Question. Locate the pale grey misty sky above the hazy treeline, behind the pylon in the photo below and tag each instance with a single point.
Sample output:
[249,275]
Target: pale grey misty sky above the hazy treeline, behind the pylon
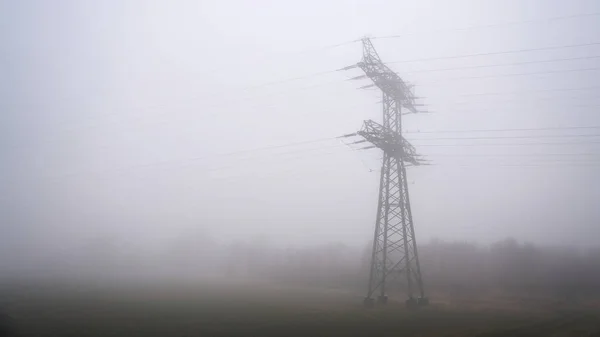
[151,120]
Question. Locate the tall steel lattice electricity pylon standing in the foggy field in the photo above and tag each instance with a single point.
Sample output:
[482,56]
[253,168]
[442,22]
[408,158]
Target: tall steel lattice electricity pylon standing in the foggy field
[394,243]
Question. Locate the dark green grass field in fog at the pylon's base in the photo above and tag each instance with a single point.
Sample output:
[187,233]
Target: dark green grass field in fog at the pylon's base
[267,310]
